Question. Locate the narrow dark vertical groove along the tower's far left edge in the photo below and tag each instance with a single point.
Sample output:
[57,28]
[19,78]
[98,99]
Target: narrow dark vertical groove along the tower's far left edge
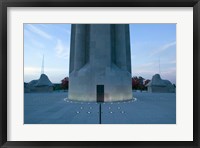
[72,49]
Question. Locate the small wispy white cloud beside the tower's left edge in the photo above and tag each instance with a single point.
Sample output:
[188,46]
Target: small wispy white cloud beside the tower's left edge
[61,50]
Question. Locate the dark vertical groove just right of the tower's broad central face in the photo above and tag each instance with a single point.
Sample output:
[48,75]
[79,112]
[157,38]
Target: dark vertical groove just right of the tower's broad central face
[113,42]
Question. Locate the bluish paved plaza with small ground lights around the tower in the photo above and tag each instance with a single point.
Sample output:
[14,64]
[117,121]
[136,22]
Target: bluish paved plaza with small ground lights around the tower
[56,108]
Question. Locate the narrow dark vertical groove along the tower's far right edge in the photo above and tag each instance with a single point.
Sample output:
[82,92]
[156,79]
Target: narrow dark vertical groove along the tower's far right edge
[128,50]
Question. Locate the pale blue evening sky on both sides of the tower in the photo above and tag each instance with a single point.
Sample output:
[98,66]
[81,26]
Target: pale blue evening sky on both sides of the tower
[153,50]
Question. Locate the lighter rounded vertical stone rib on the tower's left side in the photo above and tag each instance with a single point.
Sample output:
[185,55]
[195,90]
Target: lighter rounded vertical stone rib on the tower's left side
[79,46]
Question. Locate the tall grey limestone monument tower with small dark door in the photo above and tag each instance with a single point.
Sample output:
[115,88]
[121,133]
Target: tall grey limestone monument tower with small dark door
[100,63]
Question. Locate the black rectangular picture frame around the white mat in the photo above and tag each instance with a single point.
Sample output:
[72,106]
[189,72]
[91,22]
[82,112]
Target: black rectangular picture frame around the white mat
[4,4]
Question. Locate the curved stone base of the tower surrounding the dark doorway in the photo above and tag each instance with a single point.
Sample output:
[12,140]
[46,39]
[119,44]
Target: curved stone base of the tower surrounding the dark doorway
[83,84]
